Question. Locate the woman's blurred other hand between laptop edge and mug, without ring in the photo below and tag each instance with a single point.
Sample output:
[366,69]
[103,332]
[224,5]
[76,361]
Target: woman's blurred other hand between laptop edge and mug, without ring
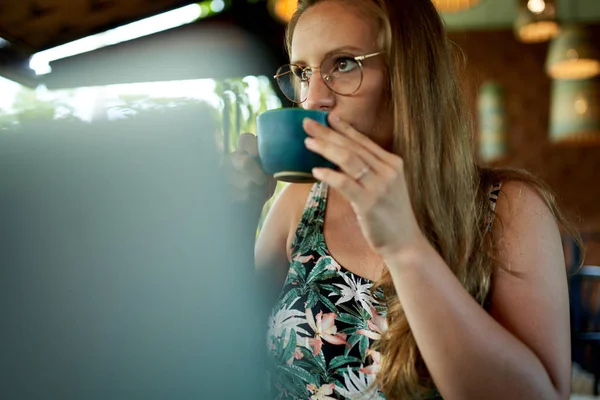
[251,185]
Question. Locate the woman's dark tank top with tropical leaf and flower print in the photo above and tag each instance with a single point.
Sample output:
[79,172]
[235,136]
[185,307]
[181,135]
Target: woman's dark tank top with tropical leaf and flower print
[322,328]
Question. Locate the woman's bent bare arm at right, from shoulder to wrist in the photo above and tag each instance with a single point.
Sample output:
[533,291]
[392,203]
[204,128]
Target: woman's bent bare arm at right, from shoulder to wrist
[521,350]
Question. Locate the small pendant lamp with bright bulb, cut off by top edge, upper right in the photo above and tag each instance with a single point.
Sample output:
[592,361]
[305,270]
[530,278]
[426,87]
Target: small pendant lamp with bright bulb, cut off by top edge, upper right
[536,25]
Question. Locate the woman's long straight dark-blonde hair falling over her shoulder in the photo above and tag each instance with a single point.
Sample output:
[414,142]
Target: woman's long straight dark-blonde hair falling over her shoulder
[449,191]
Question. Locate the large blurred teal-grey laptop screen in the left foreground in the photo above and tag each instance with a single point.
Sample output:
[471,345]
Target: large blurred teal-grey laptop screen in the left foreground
[125,271]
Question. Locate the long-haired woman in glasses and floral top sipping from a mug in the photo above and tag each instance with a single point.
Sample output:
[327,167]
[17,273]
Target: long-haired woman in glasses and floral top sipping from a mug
[396,284]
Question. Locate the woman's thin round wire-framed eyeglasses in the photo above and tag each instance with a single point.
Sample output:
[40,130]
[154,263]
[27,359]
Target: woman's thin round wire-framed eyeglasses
[342,73]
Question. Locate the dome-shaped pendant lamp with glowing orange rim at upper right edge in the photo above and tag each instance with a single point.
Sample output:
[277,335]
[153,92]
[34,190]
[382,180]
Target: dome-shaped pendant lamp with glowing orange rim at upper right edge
[573,55]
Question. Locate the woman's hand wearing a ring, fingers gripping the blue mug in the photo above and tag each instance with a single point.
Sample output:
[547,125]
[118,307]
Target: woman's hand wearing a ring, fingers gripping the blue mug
[371,179]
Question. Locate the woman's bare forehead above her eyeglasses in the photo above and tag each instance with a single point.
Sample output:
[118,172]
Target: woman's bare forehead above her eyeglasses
[330,27]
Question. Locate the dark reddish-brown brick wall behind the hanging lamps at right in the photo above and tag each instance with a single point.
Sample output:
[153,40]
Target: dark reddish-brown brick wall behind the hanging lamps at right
[573,172]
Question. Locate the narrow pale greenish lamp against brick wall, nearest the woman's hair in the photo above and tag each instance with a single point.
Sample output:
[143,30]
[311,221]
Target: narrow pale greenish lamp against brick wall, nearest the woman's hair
[492,122]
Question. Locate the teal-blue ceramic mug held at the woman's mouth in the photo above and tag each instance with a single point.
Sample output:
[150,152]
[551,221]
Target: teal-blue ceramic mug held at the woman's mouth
[281,147]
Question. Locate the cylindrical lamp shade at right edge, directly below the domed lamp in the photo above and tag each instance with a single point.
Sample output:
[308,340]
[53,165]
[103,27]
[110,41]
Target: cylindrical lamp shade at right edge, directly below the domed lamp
[575,111]
